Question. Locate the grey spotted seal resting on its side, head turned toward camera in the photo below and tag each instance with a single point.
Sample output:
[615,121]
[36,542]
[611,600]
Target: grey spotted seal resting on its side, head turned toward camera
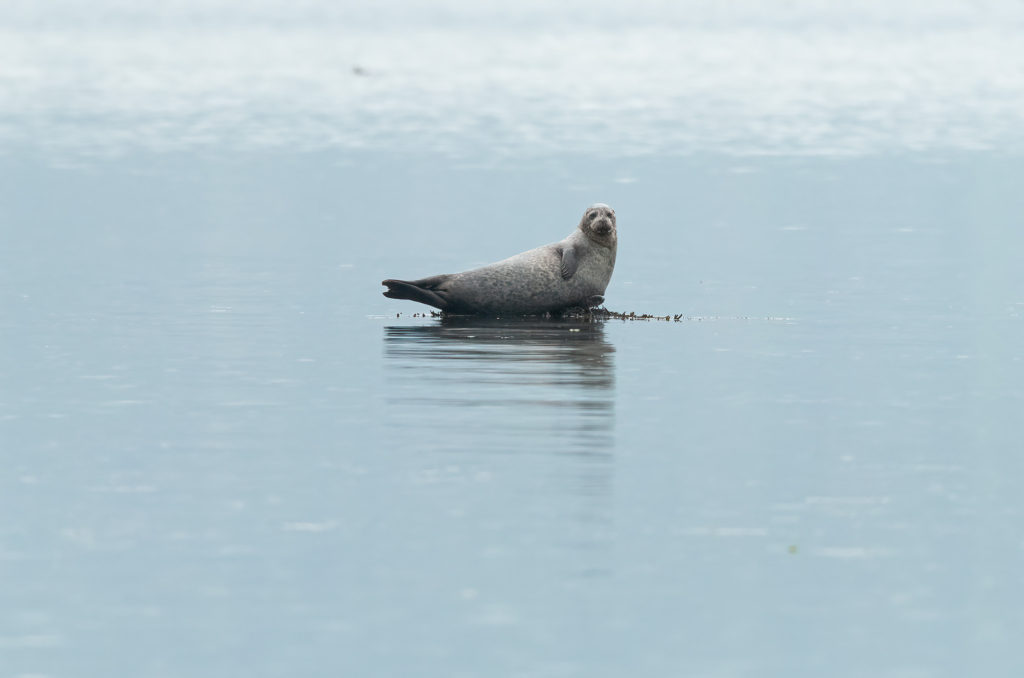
[572,273]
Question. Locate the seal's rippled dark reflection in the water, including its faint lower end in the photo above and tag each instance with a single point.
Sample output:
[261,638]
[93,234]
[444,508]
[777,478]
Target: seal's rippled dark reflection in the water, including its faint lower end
[496,408]
